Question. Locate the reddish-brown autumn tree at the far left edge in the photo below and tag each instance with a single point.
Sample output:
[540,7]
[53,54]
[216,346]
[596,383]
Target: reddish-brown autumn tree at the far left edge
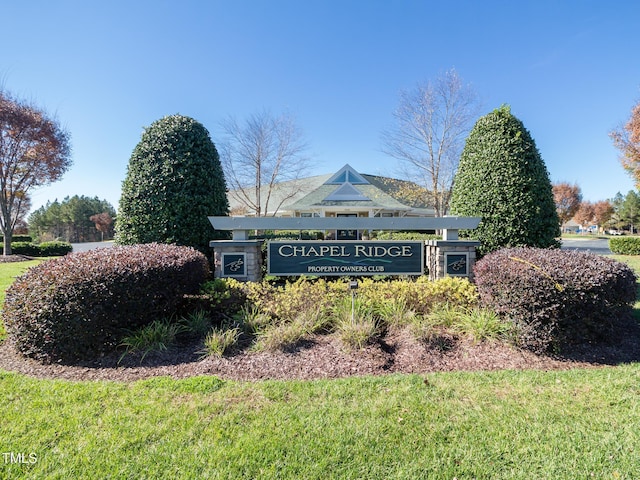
[34,151]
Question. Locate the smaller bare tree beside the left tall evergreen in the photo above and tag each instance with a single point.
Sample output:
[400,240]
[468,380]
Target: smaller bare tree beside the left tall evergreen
[263,161]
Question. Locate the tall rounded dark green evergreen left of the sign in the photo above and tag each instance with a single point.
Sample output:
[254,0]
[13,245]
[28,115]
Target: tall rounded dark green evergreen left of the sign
[174,182]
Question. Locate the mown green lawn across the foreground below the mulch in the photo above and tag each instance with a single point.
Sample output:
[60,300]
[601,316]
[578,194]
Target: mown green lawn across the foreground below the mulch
[580,423]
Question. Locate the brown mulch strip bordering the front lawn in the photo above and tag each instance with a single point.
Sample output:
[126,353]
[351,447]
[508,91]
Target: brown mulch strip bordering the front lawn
[324,356]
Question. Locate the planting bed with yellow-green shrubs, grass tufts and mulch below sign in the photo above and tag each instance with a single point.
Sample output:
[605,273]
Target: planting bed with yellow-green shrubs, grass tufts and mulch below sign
[307,329]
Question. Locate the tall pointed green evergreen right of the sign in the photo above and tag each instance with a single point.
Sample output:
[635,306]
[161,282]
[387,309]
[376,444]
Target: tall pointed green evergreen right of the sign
[503,179]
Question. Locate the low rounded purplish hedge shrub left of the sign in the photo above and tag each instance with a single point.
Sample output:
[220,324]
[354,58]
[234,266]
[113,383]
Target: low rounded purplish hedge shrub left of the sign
[79,306]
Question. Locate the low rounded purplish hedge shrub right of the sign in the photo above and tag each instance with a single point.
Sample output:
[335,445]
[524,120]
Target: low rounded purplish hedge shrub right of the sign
[555,296]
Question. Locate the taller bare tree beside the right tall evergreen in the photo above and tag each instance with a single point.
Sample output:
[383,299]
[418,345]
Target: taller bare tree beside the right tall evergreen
[431,124]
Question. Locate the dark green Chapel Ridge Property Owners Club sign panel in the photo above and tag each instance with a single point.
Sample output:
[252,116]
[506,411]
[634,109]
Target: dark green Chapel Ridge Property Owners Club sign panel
[354,258]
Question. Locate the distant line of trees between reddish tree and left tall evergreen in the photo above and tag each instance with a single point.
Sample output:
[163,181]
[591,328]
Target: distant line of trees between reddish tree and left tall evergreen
[75,219]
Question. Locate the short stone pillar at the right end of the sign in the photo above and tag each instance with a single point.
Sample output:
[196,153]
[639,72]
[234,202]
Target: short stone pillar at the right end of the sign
[451,258]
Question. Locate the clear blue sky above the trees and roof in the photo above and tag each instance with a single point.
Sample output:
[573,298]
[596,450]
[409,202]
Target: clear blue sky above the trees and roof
[569,69]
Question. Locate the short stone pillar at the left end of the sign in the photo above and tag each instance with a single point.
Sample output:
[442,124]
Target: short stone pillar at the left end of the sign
[239,259]
